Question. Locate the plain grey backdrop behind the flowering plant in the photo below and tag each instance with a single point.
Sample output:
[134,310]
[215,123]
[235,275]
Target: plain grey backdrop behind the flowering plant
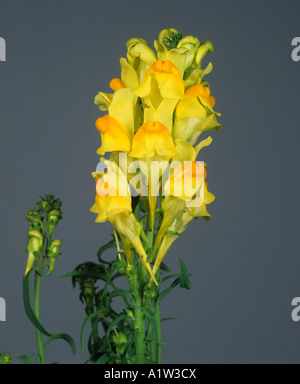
[245,262]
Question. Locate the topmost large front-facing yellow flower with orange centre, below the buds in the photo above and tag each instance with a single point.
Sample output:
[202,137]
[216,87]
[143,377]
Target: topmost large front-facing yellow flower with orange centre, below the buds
[162,88]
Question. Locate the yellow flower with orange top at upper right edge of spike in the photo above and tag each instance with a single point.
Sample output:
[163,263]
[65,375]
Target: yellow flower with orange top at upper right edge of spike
[194,114]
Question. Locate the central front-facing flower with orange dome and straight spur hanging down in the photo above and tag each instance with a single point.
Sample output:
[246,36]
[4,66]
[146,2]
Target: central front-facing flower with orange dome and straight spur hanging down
[153,143]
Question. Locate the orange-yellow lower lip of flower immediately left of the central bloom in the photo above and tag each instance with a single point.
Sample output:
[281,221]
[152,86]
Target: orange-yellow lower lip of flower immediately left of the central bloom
[113,134]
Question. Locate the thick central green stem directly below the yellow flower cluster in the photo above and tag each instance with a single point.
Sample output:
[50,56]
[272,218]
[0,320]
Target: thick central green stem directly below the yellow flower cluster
[139,316]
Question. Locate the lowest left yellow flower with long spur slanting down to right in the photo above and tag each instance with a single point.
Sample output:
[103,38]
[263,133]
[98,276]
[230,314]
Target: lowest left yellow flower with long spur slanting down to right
[113,204]
